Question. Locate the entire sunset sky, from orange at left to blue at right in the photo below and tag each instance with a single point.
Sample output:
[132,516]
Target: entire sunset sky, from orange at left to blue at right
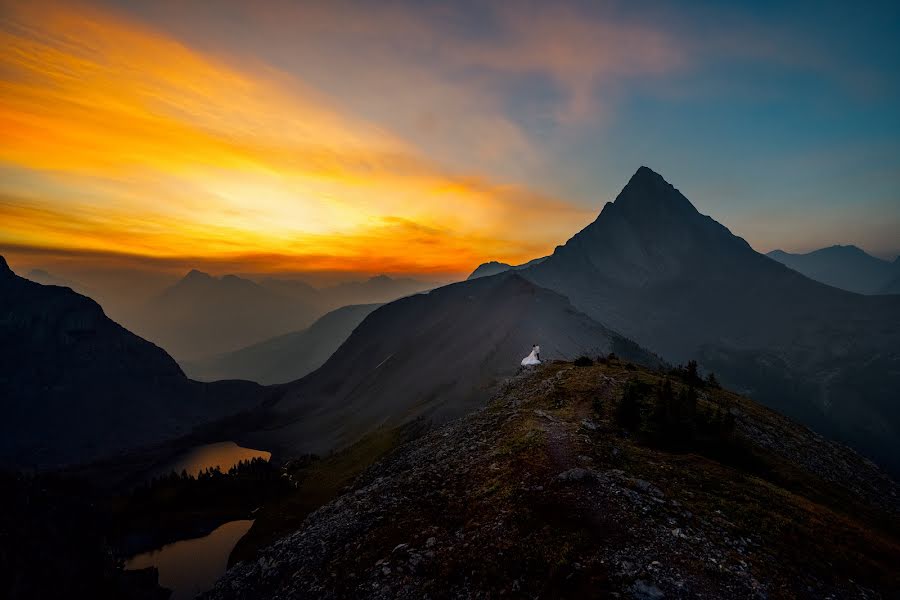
[424,138]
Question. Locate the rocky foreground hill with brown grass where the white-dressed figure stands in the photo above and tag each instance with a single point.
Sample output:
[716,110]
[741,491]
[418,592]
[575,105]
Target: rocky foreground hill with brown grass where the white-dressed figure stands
[553,491]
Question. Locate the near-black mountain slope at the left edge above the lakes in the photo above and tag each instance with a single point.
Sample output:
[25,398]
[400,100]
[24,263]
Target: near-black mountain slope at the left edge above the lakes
[76,386]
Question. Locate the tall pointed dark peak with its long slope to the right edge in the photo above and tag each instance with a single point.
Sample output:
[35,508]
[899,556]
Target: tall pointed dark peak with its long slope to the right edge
[678,282]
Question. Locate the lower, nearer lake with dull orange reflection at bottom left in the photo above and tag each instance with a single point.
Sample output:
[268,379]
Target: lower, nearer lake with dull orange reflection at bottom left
[190,567]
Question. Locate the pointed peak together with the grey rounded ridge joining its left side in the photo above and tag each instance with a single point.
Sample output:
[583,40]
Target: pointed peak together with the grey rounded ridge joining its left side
[651,269]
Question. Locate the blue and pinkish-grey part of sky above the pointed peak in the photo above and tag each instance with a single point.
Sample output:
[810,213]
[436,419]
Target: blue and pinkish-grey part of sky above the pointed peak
[781,119]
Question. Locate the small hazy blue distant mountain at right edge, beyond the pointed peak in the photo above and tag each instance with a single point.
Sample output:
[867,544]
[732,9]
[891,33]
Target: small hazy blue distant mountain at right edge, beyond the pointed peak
[845,267]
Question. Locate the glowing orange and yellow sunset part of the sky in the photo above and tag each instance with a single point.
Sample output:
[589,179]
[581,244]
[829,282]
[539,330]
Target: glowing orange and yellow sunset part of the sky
[119,142]
